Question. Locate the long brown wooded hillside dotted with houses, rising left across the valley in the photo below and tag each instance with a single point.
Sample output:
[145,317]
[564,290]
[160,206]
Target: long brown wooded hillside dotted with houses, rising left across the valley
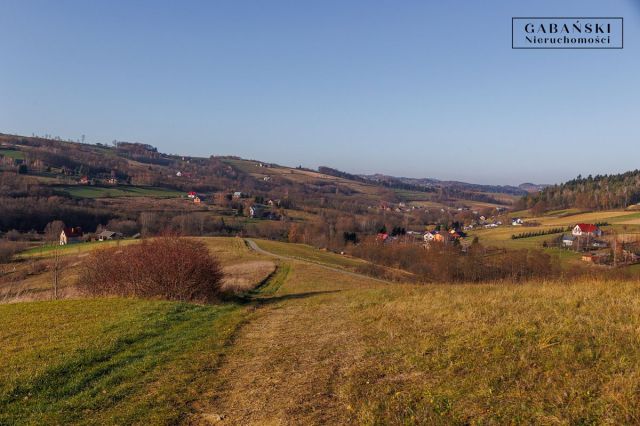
[132,187]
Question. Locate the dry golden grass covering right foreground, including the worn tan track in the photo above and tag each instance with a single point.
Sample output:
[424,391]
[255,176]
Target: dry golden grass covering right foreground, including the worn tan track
[359,352]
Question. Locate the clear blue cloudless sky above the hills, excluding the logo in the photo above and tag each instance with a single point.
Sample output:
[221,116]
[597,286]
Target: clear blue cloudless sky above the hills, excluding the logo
[408,88]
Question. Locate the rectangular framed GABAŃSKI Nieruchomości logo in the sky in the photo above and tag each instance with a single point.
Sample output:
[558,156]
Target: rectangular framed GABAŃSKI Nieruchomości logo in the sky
[567,33]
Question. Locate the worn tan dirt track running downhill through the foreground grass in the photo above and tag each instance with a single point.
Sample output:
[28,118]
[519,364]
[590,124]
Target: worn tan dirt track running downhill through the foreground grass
[289,364]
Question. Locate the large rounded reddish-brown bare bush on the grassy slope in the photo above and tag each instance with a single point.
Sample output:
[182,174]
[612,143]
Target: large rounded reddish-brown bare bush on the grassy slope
[164,268]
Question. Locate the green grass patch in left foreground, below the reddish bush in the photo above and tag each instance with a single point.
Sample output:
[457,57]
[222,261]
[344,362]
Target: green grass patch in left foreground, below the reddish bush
[108,361]
